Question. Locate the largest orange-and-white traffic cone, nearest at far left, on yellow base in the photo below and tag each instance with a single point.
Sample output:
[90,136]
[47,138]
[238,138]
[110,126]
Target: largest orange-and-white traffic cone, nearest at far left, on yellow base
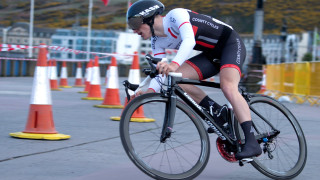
[40,123]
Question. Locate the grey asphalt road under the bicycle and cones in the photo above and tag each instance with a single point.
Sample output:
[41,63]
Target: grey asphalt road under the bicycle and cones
[94,150]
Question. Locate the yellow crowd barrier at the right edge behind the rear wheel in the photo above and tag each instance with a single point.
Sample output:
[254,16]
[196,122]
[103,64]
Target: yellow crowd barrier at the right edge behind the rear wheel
[299,81]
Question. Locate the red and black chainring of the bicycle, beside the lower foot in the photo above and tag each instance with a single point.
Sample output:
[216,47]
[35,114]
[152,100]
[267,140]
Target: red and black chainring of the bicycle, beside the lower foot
[225,150]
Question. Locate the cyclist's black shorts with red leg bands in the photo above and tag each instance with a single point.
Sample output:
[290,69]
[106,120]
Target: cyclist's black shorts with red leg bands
[208,64]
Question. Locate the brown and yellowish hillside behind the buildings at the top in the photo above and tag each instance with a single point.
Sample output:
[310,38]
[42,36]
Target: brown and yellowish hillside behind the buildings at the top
[300,14]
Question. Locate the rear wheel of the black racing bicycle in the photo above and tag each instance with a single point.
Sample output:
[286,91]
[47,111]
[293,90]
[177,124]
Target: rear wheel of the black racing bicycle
[284,146]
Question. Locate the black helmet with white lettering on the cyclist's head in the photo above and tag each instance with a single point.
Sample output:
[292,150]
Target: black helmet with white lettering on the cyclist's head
[143,11]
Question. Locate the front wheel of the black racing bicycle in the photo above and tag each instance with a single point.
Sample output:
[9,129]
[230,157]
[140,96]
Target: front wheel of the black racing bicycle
[182,156]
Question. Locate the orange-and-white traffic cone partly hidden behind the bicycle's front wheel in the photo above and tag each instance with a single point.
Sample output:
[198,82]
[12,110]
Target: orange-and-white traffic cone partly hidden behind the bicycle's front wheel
[134,78]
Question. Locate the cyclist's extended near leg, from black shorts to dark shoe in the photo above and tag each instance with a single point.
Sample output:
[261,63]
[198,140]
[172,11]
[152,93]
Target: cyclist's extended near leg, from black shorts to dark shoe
[232,59]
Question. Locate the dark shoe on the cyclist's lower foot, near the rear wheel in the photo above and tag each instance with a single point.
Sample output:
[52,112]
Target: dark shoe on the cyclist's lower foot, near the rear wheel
[249,151]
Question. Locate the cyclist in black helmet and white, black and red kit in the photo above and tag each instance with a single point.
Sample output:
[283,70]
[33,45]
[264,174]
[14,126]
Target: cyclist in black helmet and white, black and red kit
[186,30]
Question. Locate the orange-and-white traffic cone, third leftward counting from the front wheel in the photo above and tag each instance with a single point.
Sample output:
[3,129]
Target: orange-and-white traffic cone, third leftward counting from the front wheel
[95,89]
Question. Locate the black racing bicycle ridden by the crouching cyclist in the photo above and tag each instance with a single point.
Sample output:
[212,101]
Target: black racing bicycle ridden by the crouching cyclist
[176,145]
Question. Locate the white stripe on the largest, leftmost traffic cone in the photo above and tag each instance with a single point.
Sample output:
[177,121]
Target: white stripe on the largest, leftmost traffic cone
[41,88]
